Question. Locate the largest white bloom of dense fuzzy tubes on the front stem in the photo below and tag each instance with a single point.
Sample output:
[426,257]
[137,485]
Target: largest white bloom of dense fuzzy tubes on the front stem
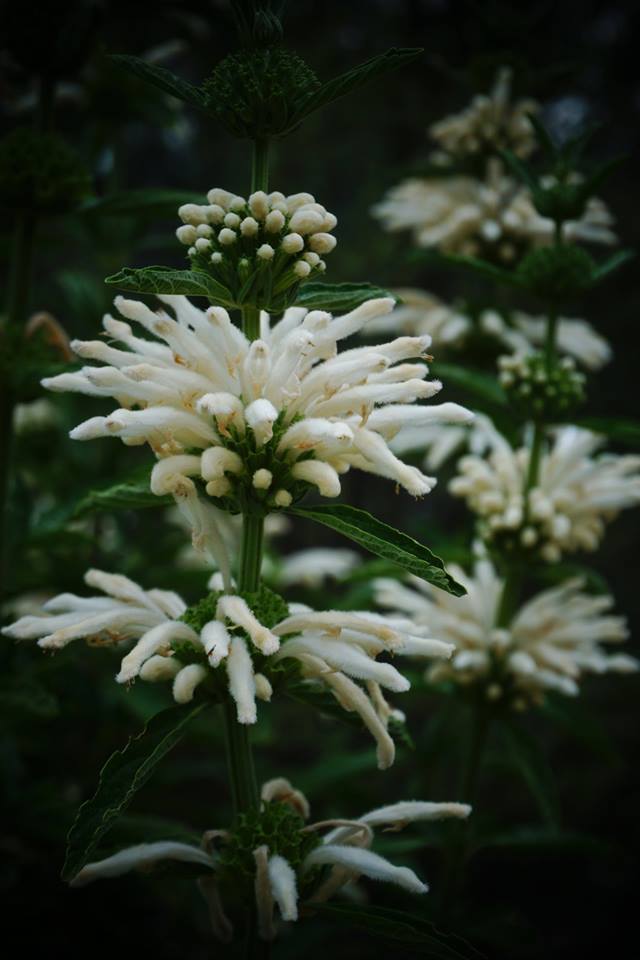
[206,399]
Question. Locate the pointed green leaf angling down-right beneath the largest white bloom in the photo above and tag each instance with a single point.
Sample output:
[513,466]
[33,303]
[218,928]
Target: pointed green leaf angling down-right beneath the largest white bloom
[383,540]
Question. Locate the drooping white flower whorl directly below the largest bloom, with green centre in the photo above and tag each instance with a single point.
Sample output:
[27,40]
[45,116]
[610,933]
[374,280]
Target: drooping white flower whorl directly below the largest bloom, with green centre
[240,646]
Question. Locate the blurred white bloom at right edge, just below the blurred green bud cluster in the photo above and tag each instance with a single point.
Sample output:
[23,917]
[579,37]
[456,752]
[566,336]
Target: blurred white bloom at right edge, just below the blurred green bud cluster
[575,494]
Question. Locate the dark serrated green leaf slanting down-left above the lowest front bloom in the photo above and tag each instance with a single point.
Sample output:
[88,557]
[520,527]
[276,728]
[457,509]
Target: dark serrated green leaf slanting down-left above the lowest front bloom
[124,773]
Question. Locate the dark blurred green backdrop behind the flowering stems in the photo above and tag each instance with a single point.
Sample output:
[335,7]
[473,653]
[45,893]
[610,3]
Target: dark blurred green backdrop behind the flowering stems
[531,891]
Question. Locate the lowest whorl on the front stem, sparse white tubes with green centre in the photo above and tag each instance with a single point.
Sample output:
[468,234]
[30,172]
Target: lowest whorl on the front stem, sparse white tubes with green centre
[271,856]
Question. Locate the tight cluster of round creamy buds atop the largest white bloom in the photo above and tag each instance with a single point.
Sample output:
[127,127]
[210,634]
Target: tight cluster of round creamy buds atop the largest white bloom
[259,249]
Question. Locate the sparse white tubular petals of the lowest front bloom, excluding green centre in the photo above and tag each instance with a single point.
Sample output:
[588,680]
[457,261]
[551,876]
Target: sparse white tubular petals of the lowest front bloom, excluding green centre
[344,848]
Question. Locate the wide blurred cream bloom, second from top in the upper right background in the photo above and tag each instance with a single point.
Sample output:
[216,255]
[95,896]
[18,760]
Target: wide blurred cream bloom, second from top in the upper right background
[494,217]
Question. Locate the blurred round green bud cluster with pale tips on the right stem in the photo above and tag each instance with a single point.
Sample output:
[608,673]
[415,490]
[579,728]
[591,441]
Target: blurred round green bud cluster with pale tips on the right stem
[541,392]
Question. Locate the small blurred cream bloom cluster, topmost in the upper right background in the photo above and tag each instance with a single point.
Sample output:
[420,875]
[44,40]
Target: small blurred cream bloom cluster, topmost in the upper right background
[490,123]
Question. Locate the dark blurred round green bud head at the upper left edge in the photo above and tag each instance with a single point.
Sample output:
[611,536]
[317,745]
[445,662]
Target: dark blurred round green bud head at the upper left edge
[40,174]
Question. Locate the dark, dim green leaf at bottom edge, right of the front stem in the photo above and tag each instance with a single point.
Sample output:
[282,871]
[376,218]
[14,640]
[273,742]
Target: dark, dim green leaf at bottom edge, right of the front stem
[396,926]
